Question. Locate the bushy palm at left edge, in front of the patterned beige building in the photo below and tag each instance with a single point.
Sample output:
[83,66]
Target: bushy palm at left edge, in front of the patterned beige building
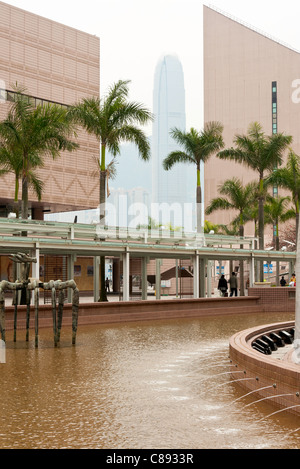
[32,133]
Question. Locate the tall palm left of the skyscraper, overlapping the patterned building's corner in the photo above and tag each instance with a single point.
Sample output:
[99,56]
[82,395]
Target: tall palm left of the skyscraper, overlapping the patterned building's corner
[113,120]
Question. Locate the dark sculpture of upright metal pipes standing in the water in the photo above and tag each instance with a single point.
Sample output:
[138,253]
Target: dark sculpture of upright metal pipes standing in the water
[26,287]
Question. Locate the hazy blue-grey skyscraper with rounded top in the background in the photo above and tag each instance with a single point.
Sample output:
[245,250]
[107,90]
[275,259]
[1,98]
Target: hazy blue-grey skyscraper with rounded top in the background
[174,186]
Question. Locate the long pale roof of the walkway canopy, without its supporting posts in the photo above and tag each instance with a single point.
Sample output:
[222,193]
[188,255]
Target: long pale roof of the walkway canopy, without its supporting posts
[91,240]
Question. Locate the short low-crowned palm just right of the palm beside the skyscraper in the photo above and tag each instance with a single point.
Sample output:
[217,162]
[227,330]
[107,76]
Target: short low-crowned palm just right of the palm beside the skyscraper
[236,197]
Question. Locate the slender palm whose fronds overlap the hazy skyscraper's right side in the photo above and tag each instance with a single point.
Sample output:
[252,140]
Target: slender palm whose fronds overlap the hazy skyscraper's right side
[197,148]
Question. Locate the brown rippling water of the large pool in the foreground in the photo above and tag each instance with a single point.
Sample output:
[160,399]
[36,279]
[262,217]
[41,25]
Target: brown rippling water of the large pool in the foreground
[148,385]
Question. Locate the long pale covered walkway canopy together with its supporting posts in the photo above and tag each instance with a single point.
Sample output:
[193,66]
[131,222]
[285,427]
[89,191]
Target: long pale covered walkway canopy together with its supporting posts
[76,240]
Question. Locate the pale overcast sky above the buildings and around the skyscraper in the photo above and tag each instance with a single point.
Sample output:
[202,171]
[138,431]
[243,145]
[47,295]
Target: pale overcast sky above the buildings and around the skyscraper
[134,34]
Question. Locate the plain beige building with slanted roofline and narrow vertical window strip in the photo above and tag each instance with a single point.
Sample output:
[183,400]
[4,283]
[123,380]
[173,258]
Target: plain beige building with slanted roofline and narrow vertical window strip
[248,77]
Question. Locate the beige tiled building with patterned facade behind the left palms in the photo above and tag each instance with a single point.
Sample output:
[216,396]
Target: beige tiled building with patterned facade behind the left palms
[59,64]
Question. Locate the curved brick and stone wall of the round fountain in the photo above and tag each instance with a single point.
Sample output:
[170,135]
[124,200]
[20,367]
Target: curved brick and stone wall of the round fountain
[275,376]
